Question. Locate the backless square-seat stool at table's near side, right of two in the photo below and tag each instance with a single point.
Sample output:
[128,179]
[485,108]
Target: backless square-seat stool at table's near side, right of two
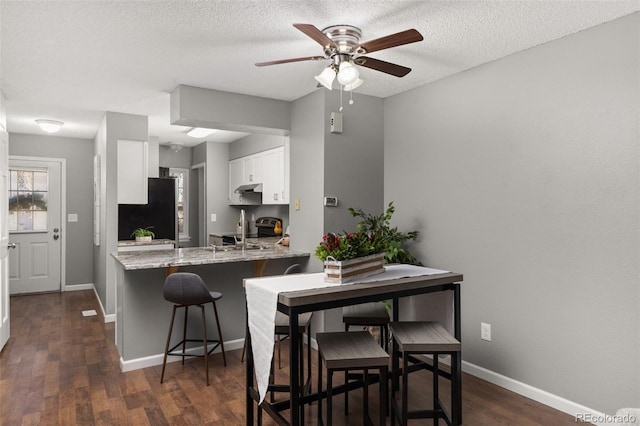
[422,337]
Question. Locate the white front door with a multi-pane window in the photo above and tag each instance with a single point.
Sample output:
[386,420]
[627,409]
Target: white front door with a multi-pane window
[35,225]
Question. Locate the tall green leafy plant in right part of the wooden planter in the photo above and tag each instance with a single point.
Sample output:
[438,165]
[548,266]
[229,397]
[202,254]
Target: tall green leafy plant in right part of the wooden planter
[386,238]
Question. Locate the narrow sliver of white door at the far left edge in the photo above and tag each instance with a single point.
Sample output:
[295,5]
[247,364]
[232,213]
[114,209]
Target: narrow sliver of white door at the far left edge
[4,238]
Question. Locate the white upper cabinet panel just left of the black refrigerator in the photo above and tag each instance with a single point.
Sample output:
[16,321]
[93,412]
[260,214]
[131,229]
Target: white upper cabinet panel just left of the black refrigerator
[132,172]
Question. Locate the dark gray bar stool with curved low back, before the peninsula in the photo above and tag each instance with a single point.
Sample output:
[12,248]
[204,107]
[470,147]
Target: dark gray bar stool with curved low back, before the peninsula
[185,289]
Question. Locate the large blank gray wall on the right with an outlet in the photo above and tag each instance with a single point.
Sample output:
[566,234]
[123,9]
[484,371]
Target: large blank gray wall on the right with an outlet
[523,175]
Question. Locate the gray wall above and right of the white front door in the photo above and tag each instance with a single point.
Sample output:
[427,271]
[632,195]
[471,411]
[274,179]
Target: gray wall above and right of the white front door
[79,195]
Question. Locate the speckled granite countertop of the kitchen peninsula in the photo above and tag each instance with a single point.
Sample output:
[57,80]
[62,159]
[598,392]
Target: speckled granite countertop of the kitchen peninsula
[201,256]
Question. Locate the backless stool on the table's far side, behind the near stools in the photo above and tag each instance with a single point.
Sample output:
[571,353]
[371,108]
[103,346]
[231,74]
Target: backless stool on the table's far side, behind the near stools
[372,314]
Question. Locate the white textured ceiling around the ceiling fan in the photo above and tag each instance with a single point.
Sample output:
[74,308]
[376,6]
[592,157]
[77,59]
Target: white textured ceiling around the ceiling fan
[74,60]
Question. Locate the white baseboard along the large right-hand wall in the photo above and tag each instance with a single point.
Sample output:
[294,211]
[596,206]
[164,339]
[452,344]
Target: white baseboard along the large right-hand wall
[554,401]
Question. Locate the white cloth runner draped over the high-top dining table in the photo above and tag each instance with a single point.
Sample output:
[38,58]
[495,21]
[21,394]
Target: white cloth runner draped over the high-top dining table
[262,302]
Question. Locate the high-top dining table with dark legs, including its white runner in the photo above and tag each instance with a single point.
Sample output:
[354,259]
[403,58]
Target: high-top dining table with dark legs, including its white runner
[299,293]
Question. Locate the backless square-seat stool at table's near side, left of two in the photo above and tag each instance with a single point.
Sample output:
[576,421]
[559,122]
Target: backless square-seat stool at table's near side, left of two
[351,351]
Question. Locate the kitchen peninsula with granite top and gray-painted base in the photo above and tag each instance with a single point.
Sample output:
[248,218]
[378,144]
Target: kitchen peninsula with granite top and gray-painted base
[142,314]
